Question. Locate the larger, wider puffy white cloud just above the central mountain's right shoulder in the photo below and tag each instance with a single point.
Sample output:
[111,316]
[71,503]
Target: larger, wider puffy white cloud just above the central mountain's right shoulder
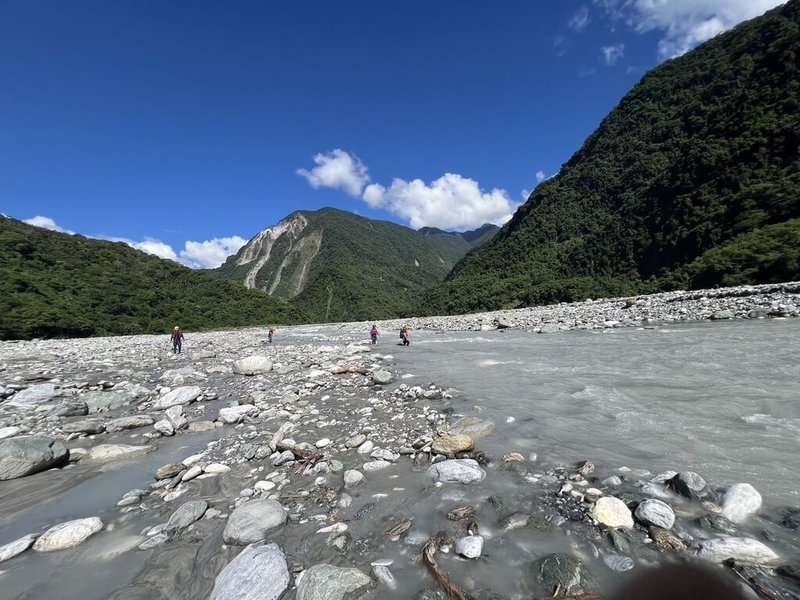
[450,202]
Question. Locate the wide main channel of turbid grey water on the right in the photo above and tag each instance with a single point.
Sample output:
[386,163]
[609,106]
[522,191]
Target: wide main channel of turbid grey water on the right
[720,399]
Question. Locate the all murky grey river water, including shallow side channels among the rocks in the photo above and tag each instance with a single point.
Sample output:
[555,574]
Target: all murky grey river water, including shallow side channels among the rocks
[720,399]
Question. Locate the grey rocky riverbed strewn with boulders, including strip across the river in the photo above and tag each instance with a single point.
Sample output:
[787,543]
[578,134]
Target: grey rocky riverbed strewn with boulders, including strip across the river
[278,471]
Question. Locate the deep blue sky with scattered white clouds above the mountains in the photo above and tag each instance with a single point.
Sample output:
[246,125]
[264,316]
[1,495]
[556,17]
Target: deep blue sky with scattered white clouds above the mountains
[185,128]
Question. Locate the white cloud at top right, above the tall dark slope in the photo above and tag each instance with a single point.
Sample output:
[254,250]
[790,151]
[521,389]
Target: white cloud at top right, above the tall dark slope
[685,23]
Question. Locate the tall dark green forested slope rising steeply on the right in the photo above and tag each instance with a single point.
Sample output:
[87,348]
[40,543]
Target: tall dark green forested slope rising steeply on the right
[697,159]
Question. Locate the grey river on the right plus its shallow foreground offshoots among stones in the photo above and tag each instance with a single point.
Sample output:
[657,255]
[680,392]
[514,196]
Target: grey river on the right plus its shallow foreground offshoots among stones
[720,399]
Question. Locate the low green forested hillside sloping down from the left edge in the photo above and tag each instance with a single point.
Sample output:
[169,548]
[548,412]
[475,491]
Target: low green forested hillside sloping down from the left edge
[53,284]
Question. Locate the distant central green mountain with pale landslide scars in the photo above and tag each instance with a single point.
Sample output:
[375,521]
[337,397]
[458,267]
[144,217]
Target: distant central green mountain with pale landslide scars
[338,266]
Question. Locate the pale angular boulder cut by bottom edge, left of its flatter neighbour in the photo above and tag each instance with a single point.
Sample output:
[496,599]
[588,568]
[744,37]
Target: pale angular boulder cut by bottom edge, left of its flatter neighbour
[259,572]
